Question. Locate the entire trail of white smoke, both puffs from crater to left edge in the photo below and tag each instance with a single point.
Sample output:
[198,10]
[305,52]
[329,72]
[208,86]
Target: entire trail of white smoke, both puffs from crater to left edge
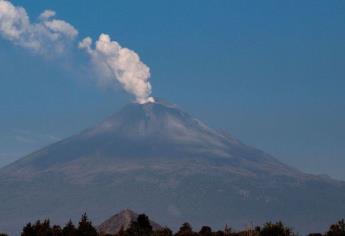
[50,36]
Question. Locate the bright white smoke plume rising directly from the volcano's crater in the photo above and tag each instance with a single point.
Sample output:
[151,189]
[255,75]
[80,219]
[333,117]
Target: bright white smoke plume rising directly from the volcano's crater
[120,64]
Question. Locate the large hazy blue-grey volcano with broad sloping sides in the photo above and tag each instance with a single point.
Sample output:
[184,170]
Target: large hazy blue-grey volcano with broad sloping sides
[156,158]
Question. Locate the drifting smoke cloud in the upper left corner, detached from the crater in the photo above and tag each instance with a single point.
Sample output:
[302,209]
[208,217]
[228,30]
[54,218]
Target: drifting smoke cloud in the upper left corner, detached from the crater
[46,36]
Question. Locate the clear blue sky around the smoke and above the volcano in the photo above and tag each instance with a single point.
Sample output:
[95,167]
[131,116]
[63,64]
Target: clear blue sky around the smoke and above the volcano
[272,73]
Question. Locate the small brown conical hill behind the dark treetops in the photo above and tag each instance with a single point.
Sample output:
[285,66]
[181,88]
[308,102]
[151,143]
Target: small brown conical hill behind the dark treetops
[120,221]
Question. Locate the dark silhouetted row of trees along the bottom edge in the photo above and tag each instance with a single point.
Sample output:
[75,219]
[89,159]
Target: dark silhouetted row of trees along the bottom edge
[142,227]
